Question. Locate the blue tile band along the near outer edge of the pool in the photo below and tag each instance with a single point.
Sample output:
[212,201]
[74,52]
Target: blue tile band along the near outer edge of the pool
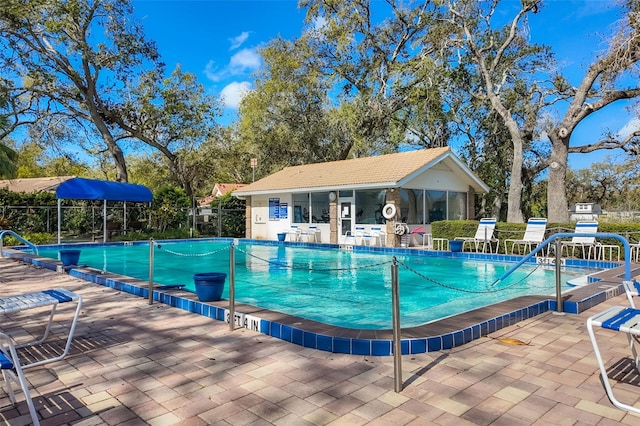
[318,341]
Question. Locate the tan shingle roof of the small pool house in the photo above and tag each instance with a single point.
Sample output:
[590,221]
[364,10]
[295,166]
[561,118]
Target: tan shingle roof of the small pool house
[387,170]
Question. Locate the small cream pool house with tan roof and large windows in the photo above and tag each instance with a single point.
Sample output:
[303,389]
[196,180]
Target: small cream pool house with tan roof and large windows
[338,198]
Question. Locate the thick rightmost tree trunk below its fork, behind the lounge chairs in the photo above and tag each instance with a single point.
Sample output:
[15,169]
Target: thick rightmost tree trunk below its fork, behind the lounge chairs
[557,205]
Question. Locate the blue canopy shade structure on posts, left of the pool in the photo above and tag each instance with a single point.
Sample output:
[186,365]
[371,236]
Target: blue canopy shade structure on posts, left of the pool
[93,189]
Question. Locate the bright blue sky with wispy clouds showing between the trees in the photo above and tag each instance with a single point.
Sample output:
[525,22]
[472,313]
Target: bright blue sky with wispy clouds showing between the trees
[217,40]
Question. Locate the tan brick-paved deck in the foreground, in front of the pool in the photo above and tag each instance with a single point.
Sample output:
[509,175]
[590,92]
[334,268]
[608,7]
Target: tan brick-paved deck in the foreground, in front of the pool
[135,364]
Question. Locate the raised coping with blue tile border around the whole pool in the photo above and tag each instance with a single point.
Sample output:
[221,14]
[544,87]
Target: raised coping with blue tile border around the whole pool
[438,335]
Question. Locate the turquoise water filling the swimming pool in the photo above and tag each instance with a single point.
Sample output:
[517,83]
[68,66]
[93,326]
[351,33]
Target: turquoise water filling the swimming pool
[342,288]
